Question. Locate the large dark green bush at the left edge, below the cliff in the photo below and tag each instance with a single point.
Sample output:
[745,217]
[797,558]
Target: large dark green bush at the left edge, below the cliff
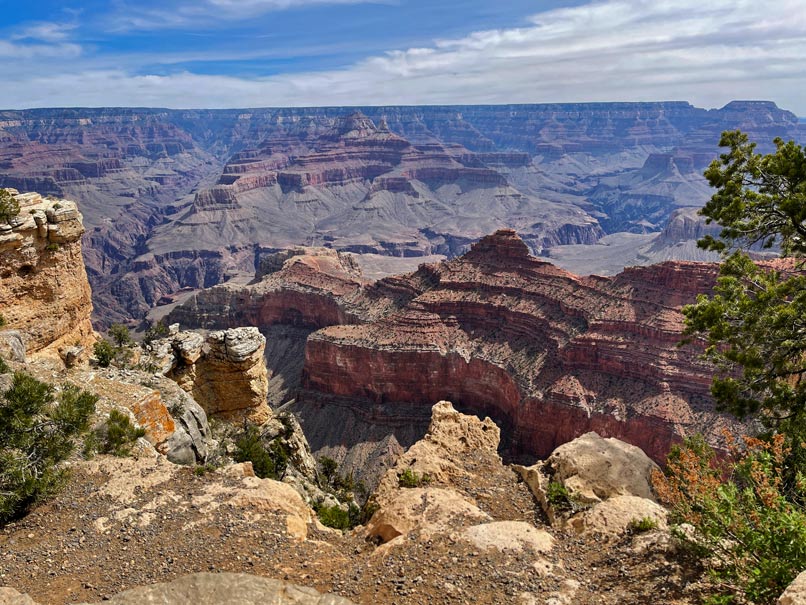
[39,432]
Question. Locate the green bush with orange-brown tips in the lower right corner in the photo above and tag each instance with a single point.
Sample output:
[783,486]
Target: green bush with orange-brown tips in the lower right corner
[749,523]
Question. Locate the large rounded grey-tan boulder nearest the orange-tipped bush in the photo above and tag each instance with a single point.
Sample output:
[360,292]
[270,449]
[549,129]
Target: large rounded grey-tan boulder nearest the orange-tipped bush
[592,468]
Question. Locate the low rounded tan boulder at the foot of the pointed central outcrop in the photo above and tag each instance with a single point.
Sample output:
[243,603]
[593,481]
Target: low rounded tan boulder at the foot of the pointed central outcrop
[429,510]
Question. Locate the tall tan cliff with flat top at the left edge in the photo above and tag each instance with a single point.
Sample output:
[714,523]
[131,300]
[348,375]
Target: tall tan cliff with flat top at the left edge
[44,292]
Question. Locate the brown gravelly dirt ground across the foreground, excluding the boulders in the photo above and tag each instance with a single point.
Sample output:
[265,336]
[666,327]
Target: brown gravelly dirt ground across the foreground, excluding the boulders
[90,542]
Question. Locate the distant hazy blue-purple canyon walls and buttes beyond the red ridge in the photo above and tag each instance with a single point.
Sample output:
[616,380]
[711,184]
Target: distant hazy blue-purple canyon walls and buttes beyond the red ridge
[184,199]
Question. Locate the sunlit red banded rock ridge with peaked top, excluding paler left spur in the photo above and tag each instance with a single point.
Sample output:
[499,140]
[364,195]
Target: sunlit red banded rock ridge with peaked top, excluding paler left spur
[548,354]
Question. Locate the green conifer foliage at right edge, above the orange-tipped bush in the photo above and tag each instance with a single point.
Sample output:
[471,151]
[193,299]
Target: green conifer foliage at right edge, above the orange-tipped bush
[755,323]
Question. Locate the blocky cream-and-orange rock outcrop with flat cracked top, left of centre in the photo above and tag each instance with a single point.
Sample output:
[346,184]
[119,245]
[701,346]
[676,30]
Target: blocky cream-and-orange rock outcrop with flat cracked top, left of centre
[225,372]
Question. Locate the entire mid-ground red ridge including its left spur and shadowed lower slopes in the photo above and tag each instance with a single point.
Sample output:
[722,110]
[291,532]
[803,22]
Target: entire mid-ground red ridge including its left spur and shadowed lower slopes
[547,354]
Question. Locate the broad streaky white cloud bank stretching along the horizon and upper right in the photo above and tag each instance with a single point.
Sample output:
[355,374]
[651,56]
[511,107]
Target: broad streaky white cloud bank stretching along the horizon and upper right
[708,53]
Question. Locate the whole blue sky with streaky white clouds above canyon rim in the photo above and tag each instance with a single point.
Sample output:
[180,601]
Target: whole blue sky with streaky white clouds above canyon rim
[269,53]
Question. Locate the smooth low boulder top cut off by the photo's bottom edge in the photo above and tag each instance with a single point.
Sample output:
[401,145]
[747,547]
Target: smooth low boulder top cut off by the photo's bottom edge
[224,588]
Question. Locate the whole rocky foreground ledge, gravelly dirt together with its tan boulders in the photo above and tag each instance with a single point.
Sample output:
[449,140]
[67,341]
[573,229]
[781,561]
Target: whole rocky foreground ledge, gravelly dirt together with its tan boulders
[468,529]
